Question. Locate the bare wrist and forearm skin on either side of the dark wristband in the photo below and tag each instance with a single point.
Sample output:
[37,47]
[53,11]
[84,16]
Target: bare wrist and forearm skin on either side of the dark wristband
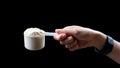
[100,43]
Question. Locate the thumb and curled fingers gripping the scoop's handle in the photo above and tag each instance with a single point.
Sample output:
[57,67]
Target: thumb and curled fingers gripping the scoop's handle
[66,37]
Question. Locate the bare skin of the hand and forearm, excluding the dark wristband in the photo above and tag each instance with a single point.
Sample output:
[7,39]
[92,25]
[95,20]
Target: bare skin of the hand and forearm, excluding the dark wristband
[77,37]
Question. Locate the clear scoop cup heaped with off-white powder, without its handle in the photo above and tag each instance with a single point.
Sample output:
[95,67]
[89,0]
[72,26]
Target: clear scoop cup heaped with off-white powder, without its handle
[34,38]
